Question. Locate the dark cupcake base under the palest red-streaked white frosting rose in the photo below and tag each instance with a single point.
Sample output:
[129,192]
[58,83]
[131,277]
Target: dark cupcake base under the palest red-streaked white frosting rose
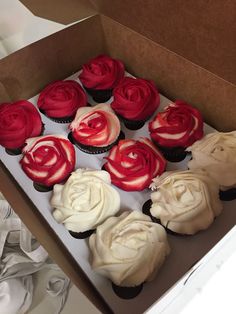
[94,149]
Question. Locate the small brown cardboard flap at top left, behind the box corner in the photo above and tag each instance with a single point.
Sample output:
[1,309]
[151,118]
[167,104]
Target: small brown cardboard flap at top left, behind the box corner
[61,11]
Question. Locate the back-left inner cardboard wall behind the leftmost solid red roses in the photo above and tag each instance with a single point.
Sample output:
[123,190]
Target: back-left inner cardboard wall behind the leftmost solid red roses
[27,71]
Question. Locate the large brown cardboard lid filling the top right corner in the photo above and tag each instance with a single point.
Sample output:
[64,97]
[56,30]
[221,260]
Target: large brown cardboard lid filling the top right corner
[202,31]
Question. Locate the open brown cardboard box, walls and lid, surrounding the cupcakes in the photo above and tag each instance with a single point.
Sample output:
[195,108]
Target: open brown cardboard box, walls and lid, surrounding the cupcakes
[178,47]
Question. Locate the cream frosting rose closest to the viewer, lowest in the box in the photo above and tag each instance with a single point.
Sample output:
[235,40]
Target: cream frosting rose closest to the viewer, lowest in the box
[129,249]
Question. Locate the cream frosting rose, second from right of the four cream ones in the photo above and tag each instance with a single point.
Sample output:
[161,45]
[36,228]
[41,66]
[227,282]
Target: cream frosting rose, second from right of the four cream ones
[185,201]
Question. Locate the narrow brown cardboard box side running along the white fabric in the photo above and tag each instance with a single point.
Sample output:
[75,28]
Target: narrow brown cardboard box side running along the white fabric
[26,210]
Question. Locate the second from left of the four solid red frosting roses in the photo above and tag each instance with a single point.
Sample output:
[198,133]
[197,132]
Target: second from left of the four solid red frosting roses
[62,99]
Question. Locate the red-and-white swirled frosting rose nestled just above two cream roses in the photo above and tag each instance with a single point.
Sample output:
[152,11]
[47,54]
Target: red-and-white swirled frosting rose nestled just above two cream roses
[132,164]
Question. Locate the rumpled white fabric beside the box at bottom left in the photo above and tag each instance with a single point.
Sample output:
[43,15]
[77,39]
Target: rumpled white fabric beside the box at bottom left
[22,259]
